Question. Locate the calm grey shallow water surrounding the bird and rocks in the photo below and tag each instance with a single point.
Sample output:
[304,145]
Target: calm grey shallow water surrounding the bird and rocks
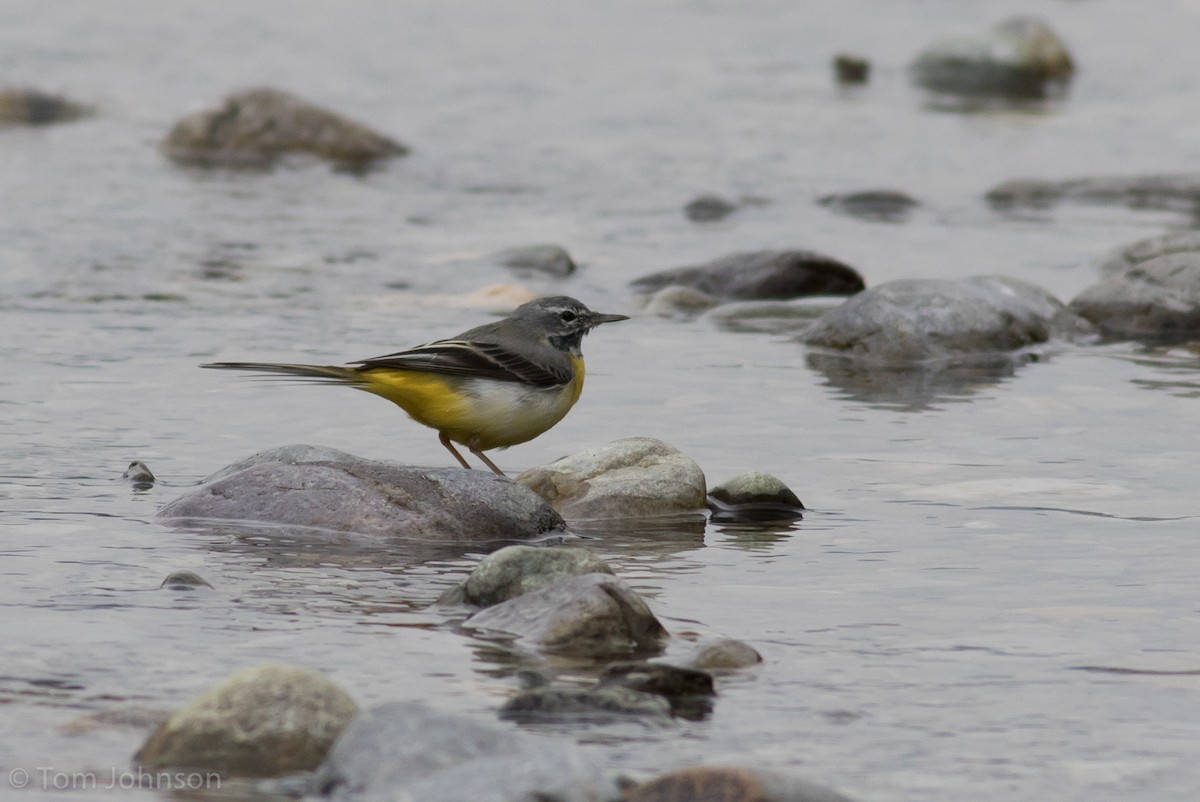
[994,591]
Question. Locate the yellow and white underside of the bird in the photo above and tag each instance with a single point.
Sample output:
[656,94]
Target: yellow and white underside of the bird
[481,412]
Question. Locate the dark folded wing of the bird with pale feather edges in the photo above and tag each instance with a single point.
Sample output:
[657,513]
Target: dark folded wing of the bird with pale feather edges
[477,360]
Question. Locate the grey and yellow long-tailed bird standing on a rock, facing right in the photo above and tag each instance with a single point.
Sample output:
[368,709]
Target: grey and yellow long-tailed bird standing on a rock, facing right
[491,387]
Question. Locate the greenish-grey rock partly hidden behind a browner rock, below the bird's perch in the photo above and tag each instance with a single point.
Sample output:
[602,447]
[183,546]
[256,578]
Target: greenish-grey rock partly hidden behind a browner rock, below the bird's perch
[513,571]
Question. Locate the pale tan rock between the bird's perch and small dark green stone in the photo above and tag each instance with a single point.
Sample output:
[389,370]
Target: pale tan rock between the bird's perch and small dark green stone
[631,478]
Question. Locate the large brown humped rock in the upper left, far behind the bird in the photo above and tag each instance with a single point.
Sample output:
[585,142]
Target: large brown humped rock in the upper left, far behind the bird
[256,127]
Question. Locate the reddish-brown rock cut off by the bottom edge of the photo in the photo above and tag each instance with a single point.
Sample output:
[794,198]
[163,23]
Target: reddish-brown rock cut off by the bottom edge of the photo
[730,785]
